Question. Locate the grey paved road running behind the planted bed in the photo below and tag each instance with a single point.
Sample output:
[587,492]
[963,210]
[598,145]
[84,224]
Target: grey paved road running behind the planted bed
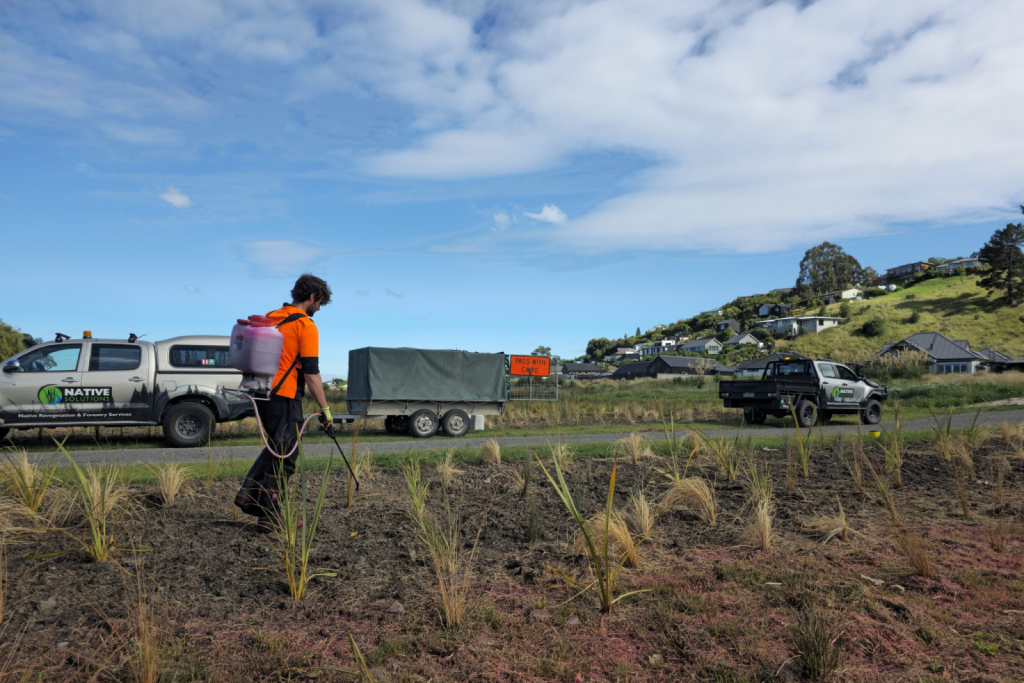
[161,456]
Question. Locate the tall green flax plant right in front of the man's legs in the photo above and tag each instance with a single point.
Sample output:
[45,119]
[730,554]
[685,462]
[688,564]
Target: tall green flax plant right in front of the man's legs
[295,526]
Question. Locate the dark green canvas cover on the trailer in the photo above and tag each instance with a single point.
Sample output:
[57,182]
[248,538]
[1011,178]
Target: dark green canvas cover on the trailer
[415,374]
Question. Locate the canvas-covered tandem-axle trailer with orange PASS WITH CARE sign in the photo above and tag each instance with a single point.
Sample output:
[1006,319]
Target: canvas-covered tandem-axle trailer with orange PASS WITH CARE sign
[419,392]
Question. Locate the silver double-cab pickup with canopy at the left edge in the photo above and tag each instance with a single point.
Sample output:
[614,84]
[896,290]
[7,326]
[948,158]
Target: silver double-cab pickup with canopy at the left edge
[116,383]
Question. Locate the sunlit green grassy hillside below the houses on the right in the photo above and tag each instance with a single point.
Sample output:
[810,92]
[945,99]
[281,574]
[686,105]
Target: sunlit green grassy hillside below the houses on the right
[954,307]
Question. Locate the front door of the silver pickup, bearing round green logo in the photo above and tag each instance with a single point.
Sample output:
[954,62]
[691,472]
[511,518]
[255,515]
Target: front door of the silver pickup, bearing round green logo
[35,394]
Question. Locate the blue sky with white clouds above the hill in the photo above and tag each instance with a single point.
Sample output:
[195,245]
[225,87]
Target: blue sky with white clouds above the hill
[486,176]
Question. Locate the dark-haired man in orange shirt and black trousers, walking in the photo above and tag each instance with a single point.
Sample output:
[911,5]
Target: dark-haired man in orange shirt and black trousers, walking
[282,415]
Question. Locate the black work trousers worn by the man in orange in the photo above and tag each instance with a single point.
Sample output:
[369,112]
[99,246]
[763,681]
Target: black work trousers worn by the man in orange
[282,420]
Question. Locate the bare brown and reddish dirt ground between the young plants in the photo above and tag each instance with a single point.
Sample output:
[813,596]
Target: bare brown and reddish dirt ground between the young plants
[715,608]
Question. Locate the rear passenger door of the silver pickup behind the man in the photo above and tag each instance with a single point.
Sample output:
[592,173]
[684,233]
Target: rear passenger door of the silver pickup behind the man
[121,374]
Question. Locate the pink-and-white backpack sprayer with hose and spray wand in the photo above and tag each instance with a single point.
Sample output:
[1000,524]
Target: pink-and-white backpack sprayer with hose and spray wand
[255,350]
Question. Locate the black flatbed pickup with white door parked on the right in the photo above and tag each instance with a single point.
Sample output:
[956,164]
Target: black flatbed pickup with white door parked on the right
[810,390]
